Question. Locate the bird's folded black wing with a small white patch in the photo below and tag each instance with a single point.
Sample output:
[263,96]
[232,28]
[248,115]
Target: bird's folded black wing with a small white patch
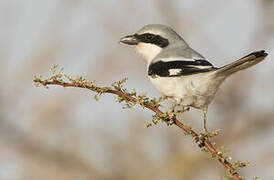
[179,68]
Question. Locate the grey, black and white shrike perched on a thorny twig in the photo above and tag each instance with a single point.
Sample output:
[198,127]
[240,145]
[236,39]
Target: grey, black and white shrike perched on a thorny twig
[179,72]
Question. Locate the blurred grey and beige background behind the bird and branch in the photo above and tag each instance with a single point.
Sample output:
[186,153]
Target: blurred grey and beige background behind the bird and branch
[65,134]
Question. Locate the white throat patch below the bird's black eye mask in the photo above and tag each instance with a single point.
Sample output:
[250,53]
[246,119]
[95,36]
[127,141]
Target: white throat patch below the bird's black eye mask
[149,51]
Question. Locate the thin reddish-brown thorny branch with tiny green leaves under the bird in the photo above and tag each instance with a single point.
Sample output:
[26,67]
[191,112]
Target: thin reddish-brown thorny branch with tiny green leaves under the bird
[131,99]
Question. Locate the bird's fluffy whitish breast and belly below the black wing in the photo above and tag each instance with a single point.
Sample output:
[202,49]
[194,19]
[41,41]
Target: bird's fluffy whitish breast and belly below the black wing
[194,90]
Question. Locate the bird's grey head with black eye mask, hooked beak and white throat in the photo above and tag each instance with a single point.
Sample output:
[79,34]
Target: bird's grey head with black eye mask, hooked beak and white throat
[152,39]
